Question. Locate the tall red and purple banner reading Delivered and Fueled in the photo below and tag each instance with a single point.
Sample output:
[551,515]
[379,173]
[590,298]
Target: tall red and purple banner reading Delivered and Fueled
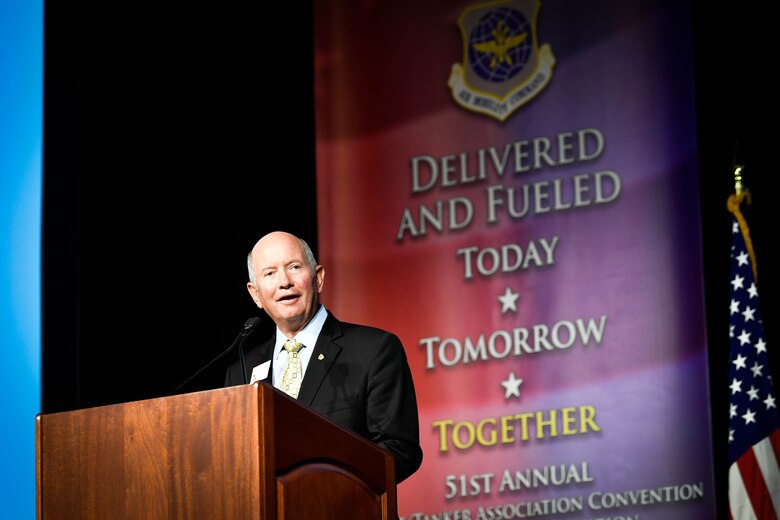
[511,187]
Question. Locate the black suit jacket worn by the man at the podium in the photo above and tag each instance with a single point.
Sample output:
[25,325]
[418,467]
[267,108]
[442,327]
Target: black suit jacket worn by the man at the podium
[362,382]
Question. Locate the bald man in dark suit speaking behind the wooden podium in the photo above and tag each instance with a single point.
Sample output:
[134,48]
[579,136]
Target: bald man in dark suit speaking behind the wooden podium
[355,374]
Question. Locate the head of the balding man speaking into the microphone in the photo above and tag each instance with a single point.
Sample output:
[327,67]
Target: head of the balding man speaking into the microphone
[287,288]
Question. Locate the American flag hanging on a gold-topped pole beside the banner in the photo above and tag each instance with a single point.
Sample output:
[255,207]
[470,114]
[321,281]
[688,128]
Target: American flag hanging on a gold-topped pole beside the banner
[754,422]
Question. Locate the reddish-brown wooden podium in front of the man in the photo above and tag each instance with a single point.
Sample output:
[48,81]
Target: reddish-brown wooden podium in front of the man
[245,452]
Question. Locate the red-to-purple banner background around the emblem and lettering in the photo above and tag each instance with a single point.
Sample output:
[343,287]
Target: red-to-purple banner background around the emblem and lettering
[382,98]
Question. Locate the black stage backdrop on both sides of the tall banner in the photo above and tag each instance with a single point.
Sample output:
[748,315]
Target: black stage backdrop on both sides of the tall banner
[174,138]
